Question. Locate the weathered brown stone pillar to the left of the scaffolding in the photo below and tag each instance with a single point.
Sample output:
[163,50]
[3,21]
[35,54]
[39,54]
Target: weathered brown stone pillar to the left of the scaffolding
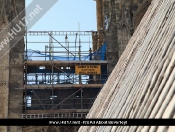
[11,66]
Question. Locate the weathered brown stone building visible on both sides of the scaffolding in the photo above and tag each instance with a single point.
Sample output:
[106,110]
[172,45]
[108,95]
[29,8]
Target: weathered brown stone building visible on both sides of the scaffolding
[116,21]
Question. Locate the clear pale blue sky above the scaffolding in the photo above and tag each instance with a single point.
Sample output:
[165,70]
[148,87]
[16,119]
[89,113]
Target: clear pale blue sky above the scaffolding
[65,15]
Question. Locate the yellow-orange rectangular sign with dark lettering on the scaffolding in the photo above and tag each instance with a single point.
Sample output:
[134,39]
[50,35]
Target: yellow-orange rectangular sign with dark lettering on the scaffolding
[87,69]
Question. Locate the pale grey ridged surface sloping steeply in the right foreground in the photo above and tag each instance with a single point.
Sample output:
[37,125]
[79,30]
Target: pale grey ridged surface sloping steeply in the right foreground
[142,84]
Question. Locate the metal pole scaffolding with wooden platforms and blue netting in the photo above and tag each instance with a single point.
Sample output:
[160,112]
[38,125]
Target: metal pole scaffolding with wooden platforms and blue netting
[63,80]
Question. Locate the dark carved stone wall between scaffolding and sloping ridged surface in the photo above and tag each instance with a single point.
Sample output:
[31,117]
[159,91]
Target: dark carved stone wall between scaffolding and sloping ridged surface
[120,18]
